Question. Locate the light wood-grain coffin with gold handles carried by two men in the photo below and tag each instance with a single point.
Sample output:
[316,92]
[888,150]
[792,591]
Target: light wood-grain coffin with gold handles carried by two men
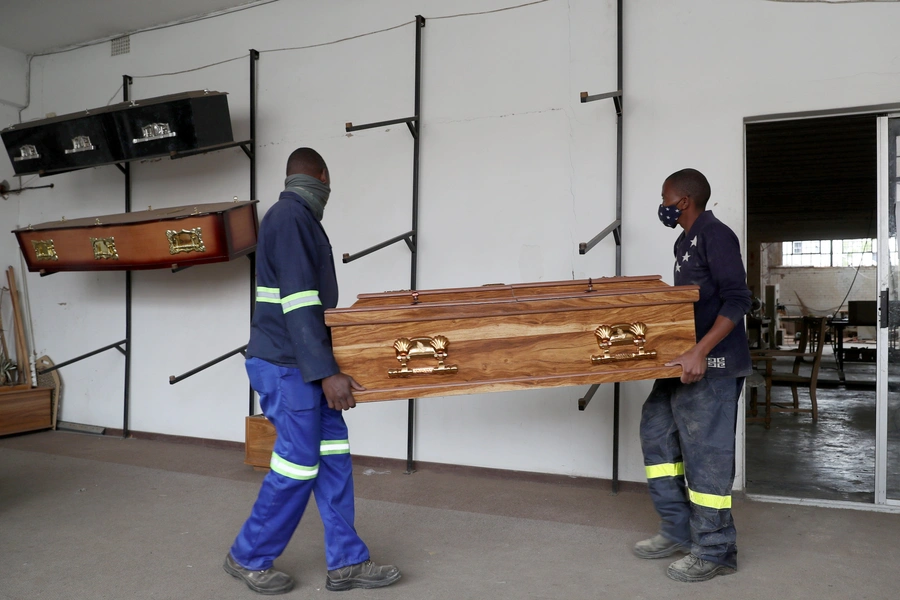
[509,337]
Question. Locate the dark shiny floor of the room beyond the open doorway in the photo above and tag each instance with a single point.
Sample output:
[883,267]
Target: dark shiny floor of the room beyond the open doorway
[833,459]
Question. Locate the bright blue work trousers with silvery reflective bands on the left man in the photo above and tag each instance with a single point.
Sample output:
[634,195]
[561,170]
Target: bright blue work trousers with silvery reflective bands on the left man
[311,454]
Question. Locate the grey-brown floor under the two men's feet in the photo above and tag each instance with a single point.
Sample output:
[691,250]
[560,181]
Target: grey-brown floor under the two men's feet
[91,517]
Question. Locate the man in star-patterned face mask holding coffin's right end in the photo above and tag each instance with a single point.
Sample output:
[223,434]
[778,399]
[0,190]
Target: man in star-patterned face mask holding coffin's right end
[688,425]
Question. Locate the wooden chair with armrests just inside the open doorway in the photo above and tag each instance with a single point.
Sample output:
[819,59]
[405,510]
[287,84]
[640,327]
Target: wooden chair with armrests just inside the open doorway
[809,351]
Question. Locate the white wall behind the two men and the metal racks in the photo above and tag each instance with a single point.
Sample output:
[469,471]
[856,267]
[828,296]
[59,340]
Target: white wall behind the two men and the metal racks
[514,173]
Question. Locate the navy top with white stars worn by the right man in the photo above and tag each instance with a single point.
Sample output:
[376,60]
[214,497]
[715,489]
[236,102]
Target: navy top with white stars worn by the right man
[709,255]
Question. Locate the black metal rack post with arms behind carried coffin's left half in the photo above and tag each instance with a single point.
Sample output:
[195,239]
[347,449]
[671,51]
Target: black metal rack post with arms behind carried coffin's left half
[414,124]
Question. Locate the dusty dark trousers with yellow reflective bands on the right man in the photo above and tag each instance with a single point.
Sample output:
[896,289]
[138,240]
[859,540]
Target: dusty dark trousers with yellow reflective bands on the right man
[687,436]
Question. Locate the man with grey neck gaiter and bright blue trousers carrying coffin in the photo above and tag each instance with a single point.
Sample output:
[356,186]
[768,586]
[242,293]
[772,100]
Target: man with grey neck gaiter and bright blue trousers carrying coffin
[302,392]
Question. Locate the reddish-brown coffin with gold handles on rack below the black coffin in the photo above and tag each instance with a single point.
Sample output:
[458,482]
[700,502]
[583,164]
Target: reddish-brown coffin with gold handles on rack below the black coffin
[164,238]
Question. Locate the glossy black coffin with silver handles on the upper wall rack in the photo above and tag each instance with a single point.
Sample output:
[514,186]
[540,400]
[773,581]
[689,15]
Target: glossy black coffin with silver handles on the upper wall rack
[148,128]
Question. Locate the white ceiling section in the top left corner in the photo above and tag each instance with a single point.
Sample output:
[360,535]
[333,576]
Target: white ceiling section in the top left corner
[35,26]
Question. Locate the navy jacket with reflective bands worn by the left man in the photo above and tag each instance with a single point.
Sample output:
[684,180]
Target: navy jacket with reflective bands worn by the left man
[295,284]
